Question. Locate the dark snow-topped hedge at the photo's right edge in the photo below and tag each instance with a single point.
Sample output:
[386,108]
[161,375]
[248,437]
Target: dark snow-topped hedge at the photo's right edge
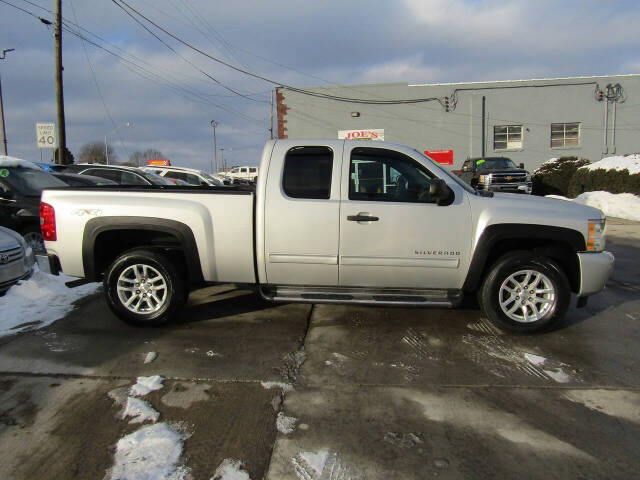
[614,181]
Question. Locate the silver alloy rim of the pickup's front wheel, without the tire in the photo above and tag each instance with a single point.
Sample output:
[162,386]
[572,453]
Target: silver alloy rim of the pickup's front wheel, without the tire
[527,296]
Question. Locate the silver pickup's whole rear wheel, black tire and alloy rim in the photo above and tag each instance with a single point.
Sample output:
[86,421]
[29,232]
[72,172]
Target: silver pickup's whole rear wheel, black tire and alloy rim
[151,313]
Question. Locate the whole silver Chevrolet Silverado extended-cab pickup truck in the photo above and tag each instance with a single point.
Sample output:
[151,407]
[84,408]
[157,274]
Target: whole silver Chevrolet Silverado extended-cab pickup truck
[332,221]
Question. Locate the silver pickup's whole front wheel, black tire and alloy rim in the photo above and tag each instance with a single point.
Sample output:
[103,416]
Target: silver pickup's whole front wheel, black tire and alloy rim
[550,307]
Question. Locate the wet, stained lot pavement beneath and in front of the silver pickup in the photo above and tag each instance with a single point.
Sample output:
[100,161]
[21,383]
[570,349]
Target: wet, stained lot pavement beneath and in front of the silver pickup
[378,393]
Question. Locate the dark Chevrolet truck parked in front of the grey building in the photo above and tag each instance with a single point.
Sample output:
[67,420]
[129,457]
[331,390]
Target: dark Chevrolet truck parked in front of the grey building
[496,174]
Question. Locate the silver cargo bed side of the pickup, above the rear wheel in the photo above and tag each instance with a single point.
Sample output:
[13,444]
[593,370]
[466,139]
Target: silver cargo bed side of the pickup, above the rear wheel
[220,219]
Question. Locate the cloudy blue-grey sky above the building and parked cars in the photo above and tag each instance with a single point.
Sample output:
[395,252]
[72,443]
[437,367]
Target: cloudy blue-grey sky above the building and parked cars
[170,103]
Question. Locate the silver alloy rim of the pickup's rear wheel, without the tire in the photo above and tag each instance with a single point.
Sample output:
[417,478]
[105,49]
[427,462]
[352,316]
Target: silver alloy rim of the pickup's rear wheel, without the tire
[142,289]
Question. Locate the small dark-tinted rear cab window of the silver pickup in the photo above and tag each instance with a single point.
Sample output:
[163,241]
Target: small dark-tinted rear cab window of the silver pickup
[307,172]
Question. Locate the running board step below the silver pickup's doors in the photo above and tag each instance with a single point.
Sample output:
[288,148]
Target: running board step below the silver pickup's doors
[366,296]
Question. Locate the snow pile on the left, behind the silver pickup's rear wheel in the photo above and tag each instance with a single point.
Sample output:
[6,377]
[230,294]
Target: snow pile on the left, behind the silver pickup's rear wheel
[39,301]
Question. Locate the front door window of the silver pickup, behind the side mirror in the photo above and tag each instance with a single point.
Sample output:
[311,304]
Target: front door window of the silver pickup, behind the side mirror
[387,176]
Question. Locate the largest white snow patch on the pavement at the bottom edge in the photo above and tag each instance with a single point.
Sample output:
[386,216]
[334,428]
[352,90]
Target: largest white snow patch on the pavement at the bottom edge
[150,453]
